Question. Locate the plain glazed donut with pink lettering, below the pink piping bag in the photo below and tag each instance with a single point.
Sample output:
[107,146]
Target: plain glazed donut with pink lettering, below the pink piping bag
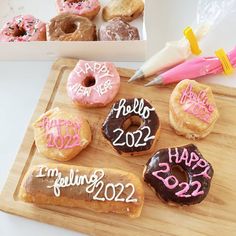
[192,109]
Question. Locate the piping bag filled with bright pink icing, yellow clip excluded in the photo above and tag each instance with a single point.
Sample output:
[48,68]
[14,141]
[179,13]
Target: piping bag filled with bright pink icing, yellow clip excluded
[192,69]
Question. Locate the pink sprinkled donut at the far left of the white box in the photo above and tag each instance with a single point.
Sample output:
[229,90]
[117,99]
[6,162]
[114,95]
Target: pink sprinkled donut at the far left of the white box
[23,28]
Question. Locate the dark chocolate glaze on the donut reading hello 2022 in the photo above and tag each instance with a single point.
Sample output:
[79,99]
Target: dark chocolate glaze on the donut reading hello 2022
[111,123]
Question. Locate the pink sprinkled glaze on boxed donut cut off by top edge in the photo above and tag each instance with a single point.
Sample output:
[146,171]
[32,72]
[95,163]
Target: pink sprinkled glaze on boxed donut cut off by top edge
[78,8]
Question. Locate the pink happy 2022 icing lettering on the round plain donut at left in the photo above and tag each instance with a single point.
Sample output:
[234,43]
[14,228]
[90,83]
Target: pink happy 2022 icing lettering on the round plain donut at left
[54,136]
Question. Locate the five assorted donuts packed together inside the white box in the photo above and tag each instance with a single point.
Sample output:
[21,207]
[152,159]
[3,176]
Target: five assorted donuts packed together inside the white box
[74,22]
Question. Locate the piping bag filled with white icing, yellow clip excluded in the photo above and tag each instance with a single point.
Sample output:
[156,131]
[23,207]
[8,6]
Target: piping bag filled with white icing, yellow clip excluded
[209,14]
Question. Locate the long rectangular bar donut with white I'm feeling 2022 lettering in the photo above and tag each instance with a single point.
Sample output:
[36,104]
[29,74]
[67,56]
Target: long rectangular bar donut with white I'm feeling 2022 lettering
[97,189]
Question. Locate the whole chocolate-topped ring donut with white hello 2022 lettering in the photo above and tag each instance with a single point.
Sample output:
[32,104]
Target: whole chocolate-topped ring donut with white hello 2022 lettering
[125,114]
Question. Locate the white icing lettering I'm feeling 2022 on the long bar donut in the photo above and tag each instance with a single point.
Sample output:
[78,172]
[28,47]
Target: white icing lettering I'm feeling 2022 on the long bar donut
[94,184]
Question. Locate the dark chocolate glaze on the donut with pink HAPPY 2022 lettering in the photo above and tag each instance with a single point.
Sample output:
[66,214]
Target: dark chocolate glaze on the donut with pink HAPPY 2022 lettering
[162,156]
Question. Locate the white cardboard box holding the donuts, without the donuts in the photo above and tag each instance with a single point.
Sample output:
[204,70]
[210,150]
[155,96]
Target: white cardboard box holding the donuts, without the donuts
[50,50]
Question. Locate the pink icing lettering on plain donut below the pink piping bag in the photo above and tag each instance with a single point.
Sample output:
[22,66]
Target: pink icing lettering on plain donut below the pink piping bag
[196,104]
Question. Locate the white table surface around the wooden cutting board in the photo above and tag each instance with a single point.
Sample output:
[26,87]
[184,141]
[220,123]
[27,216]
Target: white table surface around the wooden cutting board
[21,84]
